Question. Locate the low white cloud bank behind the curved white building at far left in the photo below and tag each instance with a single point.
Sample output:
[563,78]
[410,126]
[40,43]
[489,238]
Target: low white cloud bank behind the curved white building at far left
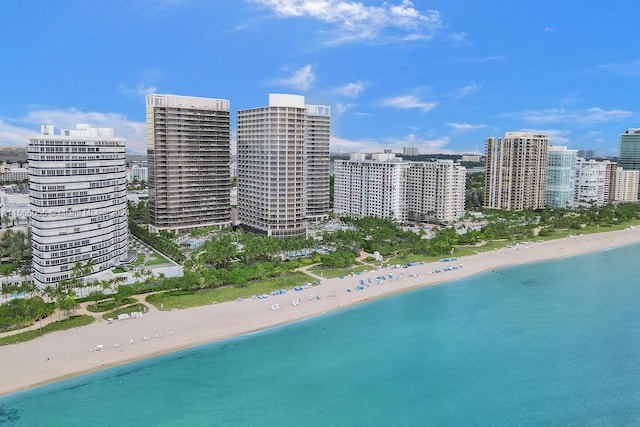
[17,131]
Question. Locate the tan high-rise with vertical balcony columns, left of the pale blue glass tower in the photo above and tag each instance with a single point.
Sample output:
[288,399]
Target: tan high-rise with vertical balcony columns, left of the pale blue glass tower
[515,171]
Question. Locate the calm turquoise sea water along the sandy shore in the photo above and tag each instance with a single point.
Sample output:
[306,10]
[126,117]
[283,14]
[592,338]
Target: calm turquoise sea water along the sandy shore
[554,343]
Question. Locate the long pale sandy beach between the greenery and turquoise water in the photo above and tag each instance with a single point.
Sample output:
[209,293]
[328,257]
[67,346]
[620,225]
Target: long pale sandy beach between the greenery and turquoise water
[103,344]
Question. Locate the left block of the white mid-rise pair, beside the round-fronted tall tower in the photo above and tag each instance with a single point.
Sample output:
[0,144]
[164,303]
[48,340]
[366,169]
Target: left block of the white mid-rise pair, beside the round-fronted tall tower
[370,187]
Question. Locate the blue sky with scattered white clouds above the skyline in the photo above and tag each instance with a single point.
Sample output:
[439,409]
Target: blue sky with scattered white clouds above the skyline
[439,75]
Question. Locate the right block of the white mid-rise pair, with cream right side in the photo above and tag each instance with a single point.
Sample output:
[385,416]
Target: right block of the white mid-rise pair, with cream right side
[435,191]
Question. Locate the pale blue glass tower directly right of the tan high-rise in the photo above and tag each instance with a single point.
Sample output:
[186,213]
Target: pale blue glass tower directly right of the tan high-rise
[561,176]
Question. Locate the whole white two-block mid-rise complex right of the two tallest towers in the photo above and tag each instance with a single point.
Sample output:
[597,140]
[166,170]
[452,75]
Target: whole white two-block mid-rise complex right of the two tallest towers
[382,185]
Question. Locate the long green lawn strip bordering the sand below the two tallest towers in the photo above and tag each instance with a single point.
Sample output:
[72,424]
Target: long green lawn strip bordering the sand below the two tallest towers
[187,299]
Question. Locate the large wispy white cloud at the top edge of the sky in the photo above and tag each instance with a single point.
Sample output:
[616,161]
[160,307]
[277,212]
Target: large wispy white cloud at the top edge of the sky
[352,21]
